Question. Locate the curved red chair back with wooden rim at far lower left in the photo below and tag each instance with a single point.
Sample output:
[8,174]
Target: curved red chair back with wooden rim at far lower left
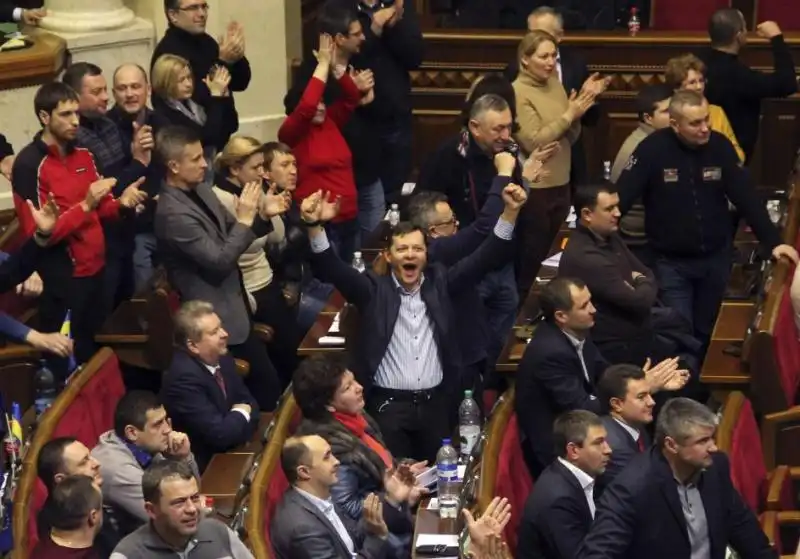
[84,410]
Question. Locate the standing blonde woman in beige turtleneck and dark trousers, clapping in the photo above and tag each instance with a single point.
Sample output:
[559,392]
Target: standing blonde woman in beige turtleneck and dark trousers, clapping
[545,114]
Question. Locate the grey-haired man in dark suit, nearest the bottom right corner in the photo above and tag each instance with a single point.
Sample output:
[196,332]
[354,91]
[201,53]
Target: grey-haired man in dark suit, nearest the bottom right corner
[677,500]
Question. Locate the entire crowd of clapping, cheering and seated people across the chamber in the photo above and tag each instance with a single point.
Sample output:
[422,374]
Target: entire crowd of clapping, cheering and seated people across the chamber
[613,419]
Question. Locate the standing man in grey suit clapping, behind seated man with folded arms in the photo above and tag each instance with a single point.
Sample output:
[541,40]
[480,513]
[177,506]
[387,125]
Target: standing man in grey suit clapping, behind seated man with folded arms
[200,243]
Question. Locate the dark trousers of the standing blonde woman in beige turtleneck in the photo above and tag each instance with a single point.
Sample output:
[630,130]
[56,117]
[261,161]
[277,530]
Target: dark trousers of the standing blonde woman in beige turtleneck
[542,217]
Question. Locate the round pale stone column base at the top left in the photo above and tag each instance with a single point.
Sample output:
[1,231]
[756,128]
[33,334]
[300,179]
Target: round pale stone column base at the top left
[80,16]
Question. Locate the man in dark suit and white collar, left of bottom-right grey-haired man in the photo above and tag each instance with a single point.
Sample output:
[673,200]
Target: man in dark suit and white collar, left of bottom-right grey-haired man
[560,511]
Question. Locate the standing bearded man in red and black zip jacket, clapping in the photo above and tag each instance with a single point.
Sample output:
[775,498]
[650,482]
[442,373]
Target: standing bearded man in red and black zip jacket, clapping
[72,267]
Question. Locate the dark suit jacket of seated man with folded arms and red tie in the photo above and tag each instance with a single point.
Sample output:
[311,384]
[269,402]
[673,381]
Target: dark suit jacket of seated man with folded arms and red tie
[198,407]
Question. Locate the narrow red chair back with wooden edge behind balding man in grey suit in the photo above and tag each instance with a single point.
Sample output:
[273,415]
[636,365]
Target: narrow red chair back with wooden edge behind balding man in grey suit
[269,482]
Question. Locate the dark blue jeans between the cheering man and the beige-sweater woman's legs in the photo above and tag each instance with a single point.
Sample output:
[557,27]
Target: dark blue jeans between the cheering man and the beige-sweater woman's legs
[499,293]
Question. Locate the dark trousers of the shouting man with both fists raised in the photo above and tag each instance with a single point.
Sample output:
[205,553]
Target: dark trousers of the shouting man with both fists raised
[413,423]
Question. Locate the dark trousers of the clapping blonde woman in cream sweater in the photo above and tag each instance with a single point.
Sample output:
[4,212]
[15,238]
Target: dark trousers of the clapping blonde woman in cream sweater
[272,309]
